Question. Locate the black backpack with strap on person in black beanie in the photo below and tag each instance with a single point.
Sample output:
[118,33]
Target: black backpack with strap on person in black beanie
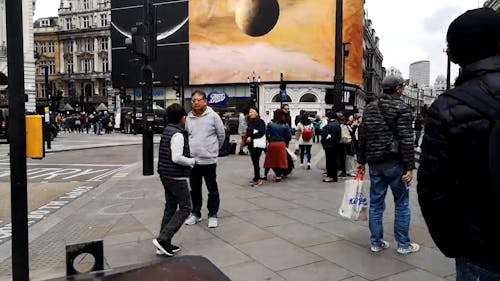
[489,106]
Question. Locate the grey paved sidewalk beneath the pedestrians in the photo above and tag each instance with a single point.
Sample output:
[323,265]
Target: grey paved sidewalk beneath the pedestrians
[280,231]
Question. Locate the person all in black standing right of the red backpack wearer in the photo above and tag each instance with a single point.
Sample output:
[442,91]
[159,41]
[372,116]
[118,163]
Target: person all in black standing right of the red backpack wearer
[330,140]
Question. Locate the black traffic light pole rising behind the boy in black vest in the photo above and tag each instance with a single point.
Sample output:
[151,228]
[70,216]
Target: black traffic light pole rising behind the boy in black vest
[147,99]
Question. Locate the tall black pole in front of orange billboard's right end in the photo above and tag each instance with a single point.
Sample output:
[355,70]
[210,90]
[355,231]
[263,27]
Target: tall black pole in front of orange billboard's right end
[338,78]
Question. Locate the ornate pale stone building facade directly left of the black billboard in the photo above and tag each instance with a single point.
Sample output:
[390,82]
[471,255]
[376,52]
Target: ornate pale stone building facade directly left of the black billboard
[85,53]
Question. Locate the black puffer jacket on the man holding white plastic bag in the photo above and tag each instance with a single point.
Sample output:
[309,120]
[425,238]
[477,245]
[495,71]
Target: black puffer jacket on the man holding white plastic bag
[383,120]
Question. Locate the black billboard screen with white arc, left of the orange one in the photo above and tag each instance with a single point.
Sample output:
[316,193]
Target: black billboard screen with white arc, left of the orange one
[173,42]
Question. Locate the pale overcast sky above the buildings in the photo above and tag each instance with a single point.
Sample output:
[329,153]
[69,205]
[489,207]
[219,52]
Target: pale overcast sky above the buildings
[409,30]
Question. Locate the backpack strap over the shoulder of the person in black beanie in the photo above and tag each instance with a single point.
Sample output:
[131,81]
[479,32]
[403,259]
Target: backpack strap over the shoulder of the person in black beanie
[484,103]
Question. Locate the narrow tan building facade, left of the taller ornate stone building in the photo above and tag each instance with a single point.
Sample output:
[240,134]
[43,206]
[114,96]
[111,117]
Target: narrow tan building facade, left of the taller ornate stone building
[47,54]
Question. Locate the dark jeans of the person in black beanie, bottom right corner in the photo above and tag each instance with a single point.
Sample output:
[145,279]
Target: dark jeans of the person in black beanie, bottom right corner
[468,270]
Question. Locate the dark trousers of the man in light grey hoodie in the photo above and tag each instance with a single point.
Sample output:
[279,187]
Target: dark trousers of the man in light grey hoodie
[207,172]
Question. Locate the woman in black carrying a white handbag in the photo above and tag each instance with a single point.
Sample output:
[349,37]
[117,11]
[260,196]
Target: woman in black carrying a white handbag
[256,141]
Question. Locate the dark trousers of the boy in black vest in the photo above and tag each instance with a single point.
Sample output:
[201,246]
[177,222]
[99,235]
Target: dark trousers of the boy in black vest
[176,195]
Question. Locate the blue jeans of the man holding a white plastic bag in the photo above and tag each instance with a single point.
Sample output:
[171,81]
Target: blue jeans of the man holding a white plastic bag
[380,180]
